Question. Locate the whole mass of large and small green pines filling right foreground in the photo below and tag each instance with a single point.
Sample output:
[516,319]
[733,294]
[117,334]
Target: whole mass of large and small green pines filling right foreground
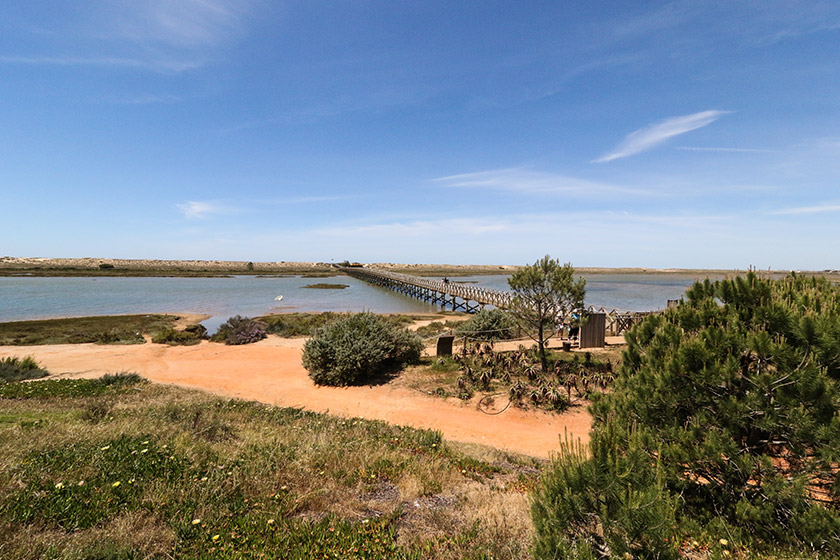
[720,437]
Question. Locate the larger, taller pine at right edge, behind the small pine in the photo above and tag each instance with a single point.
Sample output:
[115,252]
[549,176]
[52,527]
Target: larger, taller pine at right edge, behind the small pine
[734,394]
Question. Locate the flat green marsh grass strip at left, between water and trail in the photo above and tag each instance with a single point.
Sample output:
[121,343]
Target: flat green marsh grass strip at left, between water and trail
[115,329]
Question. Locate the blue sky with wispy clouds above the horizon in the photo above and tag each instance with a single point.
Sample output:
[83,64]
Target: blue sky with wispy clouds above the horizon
[695,134]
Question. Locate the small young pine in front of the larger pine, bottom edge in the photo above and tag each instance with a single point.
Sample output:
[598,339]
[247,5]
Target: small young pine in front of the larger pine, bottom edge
[609,501]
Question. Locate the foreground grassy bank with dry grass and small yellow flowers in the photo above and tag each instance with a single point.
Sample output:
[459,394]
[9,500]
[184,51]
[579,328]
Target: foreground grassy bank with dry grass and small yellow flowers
[126,469]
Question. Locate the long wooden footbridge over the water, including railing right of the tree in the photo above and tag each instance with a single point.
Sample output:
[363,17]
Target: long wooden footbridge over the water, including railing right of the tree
[472,298]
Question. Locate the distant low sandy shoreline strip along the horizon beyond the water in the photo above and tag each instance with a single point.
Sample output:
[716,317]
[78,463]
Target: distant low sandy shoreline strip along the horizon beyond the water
[89,266]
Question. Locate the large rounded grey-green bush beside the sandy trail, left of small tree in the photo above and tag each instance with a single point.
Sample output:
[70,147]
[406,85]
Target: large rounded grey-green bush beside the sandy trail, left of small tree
[356,347]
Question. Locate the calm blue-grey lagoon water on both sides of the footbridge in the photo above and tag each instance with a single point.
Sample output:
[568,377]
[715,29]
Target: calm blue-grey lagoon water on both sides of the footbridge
[24,298]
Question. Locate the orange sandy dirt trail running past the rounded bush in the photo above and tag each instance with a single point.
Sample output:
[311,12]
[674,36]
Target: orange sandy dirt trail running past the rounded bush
[271,372]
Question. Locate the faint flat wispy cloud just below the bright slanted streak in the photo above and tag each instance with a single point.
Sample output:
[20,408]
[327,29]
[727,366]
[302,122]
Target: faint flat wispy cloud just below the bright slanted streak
[524,180]
